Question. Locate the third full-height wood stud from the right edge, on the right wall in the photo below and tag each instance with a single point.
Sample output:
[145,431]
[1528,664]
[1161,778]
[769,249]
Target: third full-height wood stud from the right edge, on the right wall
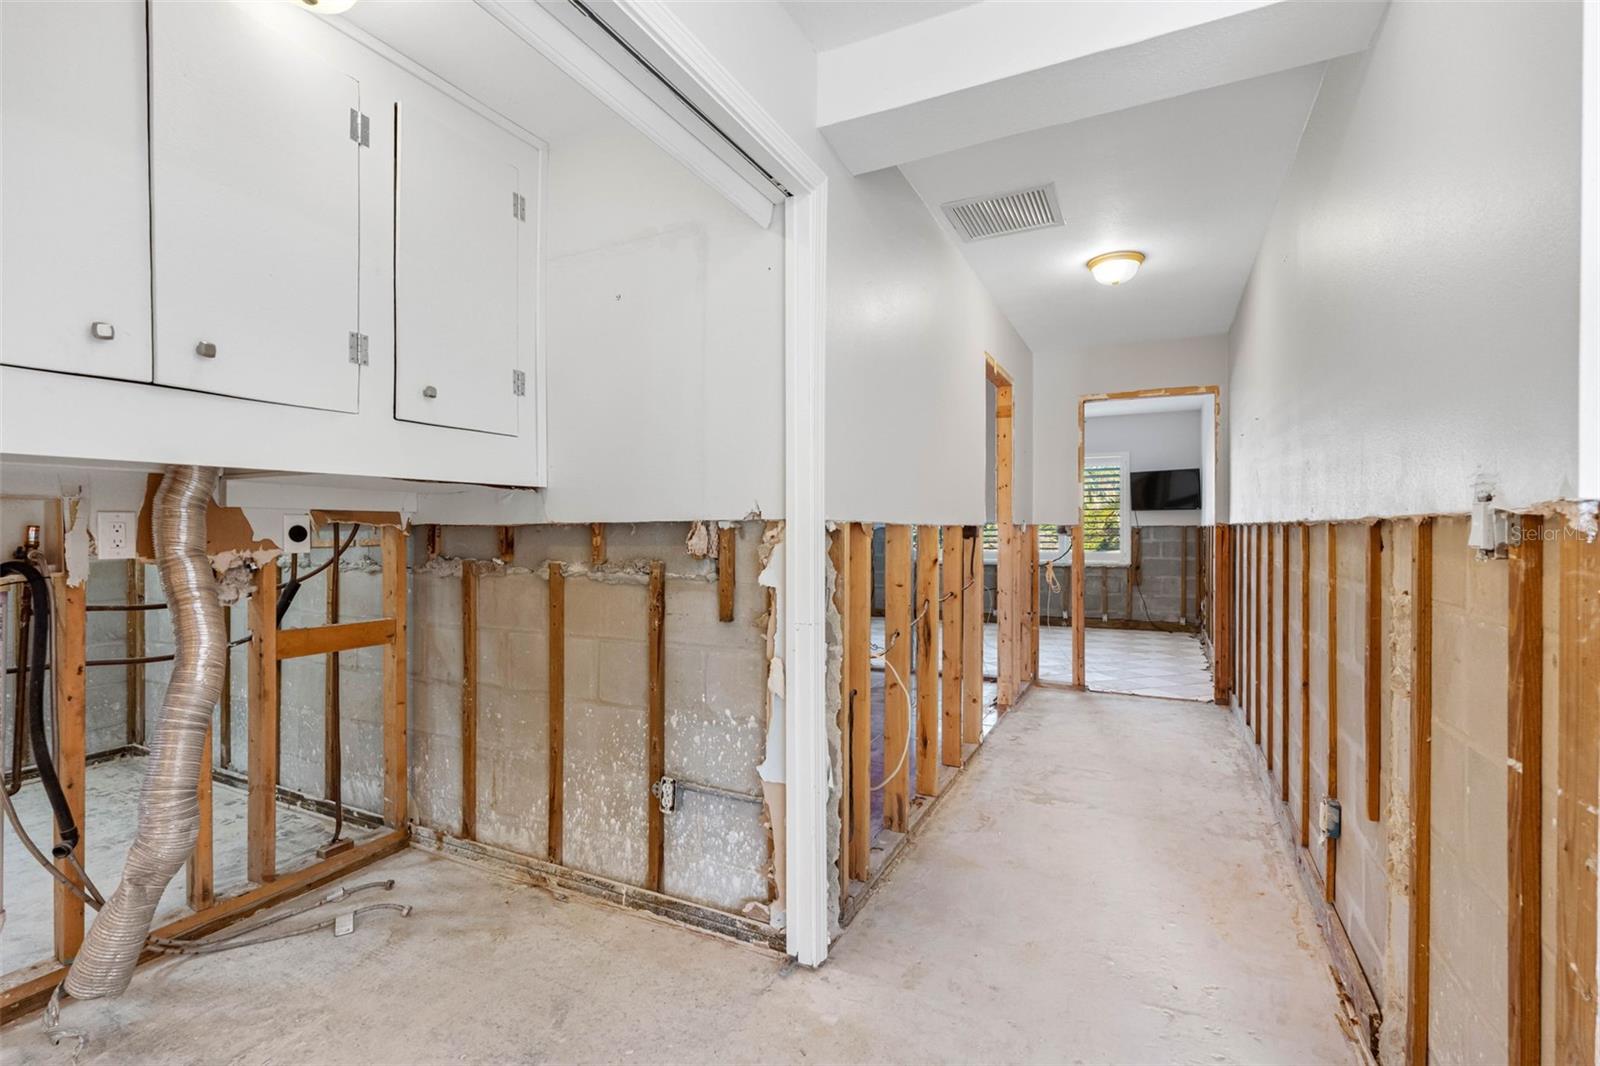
[1423,793]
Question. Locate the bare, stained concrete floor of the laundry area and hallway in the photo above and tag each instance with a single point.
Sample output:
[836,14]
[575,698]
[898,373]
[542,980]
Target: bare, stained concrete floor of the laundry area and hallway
[1105,886]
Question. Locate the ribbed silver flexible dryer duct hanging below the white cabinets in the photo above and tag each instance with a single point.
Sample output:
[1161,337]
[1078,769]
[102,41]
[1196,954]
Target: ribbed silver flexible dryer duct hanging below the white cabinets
[169,804]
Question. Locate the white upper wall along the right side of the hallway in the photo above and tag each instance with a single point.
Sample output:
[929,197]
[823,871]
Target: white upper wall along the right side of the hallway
[1410,329]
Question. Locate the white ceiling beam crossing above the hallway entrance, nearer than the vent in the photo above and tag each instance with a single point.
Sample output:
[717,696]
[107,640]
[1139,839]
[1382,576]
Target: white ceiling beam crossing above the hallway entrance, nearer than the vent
[998,70]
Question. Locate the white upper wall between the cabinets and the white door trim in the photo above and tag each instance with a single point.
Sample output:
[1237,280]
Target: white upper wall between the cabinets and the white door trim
[665,340]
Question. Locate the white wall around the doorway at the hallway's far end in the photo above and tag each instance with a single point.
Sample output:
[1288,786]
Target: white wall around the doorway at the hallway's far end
[1068,375]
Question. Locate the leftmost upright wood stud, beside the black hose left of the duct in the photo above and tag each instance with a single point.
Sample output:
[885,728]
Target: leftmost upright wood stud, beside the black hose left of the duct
[68,702]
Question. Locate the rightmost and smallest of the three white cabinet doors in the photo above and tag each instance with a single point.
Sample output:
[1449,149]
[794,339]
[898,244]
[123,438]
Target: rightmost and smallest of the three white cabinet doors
[462,210]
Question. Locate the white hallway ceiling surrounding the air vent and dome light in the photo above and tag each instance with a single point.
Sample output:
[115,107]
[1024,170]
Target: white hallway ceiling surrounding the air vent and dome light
[1188,182]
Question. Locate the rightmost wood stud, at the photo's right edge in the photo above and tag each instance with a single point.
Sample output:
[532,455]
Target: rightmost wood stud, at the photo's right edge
[1578,787]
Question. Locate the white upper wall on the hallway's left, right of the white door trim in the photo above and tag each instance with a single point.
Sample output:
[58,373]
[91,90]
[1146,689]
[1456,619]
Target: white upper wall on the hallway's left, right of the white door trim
[908,323]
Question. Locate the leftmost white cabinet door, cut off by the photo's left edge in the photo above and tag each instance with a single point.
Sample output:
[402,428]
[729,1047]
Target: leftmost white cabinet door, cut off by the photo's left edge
[74,190]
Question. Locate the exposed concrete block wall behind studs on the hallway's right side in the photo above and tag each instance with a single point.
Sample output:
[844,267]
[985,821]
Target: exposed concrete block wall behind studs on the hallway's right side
[1468,1008]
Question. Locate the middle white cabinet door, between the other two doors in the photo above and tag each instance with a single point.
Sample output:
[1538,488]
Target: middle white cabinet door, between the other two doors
[255,204]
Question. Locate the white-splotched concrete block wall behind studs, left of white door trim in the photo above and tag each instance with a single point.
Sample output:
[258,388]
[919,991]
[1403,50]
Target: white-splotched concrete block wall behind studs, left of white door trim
[714,846]
